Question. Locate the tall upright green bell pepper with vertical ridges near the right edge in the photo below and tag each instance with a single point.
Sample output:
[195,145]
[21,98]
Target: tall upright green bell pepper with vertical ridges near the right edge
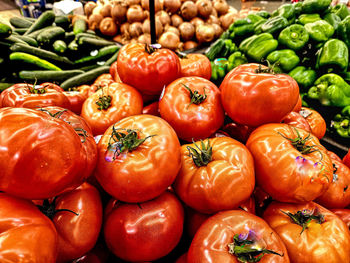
[333,55]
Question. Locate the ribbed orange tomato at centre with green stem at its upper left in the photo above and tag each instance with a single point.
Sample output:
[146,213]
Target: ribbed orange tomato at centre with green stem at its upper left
[217,174]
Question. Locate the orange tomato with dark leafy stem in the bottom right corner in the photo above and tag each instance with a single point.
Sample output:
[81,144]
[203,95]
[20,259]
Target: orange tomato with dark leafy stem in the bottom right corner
[310,232]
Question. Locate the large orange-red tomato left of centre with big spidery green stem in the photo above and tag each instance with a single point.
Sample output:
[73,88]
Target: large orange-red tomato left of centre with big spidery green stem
[139,157]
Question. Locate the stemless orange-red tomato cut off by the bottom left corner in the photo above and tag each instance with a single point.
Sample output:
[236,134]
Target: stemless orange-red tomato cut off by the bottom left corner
[27,235]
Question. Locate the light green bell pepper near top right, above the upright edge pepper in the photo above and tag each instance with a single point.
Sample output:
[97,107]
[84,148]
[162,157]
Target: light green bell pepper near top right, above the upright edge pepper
[319,31]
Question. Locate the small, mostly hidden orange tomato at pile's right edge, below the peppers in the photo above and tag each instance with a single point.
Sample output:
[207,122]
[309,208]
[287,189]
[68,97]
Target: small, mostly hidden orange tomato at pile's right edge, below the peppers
[315,120]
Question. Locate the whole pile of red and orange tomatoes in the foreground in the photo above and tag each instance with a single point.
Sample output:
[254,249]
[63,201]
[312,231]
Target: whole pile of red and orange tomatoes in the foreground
[154,157]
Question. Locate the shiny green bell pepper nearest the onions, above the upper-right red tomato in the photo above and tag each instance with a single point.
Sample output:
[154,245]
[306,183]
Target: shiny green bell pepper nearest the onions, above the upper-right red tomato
[258,46]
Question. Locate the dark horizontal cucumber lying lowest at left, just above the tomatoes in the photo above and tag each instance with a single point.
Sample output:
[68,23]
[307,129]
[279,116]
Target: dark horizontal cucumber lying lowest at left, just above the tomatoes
[49,75]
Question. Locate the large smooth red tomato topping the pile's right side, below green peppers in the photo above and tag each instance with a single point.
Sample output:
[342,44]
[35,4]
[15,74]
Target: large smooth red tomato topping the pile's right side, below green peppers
[253,99]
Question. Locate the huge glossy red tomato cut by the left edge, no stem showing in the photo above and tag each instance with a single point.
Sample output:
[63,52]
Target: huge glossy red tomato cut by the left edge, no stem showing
[40,156]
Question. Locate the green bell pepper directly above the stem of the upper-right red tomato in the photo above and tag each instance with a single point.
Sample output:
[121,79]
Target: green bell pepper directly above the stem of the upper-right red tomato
[286,59]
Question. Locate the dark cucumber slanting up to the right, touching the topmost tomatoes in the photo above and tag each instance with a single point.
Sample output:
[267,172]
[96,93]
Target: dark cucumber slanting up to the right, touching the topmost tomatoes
[84,78]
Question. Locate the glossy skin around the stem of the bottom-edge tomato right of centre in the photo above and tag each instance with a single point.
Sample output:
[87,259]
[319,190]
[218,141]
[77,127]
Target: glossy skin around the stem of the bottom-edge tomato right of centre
[210,243]
